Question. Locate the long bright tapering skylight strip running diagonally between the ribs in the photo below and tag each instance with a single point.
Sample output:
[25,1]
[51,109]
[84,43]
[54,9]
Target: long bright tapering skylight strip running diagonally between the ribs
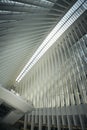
[69,18]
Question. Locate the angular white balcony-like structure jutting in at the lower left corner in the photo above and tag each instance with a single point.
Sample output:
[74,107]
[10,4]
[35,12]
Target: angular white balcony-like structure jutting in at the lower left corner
[18,106]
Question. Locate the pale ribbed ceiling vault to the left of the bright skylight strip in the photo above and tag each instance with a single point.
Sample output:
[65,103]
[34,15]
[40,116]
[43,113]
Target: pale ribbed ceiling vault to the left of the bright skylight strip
[24,24]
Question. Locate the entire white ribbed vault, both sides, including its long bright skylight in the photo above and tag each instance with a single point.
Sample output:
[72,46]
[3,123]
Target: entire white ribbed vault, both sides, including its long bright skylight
[24,26]
